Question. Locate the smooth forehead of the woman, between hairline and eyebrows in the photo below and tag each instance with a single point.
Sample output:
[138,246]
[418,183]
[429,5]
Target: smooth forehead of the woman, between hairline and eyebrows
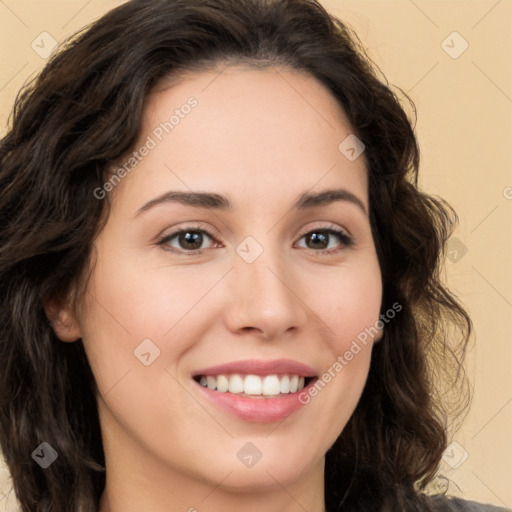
[252,131]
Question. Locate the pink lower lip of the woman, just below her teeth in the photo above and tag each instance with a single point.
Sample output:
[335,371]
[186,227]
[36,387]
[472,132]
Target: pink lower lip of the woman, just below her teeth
[260,410]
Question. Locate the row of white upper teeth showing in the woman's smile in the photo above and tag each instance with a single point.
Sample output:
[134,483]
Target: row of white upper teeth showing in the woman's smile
[254,384]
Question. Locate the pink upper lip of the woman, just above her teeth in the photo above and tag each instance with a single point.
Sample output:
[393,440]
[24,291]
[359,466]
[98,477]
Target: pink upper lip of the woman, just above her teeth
[259,367]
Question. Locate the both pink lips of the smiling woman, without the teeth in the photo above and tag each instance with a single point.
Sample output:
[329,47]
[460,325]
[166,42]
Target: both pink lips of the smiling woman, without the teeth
[257,409]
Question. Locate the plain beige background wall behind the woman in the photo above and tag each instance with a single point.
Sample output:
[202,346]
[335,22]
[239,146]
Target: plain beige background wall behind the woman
[465,132]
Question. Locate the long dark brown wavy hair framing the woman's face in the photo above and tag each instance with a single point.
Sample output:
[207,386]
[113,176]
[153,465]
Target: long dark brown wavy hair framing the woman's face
[83,112]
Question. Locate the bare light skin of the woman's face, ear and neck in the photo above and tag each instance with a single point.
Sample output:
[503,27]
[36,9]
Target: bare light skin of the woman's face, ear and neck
[261,138]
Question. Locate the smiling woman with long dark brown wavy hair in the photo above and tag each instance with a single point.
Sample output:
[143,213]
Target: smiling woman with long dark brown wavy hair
[219,282]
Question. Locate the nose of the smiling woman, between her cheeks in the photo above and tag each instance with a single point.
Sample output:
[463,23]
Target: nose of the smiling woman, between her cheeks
[265,297]
